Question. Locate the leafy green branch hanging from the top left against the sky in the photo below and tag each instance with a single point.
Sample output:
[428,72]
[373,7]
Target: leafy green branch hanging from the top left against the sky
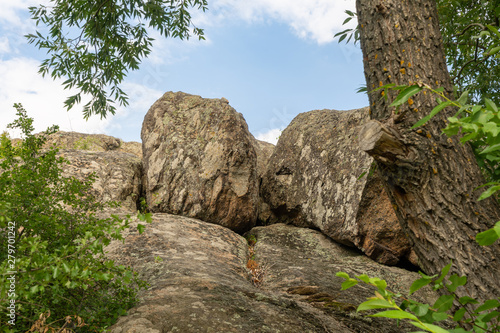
[95,43]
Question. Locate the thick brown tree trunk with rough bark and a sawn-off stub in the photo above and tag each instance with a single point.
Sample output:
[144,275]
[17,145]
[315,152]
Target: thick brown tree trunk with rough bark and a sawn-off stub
[431,179]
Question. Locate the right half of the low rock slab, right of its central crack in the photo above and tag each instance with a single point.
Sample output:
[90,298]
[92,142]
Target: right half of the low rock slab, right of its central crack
[301,264]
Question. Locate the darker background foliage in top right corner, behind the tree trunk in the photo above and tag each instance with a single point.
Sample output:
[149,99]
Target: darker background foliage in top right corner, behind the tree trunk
[470,46]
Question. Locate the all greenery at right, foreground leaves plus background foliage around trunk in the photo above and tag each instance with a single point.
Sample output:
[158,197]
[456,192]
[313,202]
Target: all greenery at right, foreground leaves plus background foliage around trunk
[479,125]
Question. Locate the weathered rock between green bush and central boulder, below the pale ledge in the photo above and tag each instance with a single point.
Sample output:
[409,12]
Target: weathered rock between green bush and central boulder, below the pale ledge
[118,174]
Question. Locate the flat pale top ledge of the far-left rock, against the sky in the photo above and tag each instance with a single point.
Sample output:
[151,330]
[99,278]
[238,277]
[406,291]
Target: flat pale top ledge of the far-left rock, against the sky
[92,142]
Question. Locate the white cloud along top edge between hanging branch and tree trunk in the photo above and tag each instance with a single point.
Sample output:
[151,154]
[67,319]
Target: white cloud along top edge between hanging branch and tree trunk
[318,20]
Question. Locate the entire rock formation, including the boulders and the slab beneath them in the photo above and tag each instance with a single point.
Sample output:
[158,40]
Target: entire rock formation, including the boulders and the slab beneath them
[199,162]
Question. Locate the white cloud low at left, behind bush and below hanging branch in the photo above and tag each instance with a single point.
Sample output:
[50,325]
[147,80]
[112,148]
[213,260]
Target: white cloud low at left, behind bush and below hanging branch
[42,97]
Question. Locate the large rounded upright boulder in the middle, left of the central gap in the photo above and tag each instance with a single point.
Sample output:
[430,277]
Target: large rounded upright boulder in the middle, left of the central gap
[199,161]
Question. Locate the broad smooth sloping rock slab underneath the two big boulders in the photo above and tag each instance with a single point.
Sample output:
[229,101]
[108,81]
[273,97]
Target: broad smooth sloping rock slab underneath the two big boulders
[200,277]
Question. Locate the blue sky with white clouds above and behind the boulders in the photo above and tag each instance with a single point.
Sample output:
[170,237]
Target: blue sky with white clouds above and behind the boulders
[272,59]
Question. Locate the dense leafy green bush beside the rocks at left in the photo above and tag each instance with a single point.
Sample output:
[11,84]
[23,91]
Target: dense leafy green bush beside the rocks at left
[57,239]
